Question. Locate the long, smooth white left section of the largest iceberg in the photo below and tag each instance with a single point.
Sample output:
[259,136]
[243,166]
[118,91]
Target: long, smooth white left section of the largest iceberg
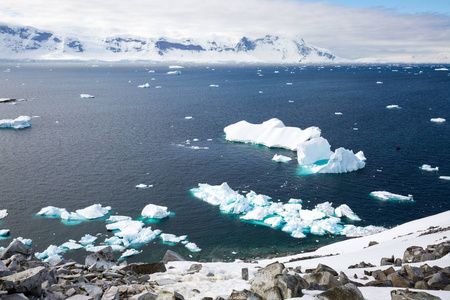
[272,133]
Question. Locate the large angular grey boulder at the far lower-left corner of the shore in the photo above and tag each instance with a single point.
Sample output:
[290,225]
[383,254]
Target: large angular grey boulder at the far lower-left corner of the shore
[25,281]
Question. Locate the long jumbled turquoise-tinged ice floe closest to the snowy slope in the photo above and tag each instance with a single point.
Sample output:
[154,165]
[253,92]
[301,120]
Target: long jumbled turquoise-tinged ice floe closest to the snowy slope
[290,217]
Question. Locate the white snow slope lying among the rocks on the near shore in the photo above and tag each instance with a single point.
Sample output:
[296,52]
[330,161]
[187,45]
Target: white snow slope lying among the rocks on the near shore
[220,279]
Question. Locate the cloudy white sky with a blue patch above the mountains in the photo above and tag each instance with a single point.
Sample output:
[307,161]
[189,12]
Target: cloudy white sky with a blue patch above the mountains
[349,28]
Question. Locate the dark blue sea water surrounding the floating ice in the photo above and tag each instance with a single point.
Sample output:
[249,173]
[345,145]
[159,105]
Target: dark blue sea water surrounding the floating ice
[81,152]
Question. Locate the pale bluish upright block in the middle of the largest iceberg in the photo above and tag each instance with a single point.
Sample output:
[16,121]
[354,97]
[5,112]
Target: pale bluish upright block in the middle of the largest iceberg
[313,150]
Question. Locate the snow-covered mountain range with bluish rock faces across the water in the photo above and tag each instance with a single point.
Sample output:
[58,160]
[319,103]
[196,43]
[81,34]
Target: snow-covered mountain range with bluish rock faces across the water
[31,43]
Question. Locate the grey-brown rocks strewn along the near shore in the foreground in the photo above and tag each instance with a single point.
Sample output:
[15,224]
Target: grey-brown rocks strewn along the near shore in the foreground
[23,276]
